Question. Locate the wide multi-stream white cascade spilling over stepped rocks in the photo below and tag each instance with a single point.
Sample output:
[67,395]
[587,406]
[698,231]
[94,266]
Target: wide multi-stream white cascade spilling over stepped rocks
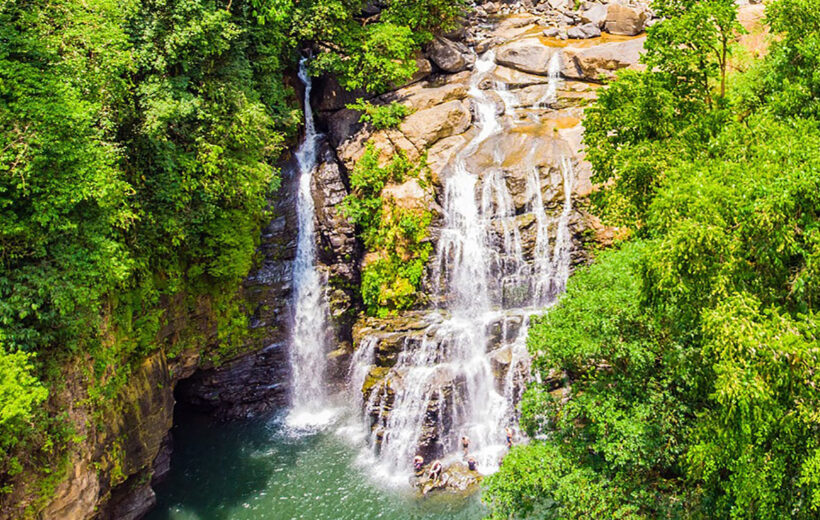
[464,373]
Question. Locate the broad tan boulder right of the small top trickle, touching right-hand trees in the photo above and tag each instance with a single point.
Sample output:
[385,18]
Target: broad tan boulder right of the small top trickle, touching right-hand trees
[601,61]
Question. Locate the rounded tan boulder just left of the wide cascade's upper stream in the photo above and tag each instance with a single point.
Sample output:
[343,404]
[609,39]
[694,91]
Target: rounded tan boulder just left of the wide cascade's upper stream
[426,127]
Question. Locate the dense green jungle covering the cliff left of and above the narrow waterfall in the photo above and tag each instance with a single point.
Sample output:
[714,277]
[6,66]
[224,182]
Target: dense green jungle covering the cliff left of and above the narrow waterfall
[138,143]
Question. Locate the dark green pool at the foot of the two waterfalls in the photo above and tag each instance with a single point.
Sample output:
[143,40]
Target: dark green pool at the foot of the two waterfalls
[256,470]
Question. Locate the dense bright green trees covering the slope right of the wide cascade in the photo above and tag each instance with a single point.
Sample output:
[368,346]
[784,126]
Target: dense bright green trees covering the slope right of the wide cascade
[690,352]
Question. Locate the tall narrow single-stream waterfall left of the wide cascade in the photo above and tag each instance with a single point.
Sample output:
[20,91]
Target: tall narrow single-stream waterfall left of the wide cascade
[308,347]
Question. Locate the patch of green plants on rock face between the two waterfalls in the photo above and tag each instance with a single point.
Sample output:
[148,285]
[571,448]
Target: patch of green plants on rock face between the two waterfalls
[397,235]
